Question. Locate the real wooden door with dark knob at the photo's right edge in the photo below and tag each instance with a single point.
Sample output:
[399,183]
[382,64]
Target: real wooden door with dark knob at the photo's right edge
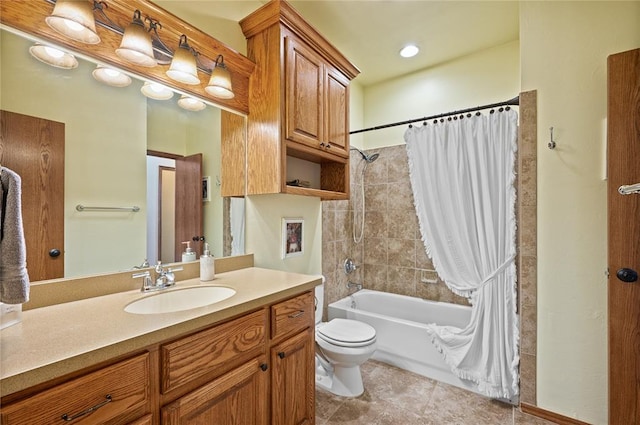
[623,138]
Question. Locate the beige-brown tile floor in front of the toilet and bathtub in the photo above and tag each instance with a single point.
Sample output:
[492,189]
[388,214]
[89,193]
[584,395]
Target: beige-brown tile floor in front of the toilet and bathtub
[396,397]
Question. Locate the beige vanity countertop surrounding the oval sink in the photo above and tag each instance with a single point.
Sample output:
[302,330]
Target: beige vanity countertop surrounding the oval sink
[59,339]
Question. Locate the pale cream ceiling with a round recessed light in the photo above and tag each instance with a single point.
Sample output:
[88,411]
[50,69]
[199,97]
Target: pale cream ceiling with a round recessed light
[371,33]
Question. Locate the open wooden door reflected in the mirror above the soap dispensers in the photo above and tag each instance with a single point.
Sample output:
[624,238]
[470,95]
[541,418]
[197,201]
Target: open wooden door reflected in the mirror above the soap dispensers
[188,212]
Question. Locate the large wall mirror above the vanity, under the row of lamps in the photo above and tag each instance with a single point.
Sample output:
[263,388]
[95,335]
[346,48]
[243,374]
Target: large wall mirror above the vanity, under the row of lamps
[107,135]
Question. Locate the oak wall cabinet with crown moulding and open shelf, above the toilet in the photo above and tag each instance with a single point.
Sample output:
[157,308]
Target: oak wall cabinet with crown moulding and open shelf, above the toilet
[299,105]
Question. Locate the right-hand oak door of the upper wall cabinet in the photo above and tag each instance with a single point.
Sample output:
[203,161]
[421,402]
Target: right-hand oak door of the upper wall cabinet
[337,112]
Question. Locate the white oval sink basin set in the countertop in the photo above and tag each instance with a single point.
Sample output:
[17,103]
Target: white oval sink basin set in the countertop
[179,299]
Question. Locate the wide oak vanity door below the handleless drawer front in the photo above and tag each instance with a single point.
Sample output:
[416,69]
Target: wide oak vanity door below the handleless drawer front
[236,398]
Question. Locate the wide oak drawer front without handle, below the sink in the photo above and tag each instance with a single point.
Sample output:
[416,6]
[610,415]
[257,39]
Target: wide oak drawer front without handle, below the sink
[204,352]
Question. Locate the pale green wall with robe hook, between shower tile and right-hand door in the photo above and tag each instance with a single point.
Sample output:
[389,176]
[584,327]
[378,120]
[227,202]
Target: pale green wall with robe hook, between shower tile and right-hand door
[564,49]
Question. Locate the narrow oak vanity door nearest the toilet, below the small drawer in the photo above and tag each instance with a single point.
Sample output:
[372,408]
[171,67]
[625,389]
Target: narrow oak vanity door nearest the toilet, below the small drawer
[293,384]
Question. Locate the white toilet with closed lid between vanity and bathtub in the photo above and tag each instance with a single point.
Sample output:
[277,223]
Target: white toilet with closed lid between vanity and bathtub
[342,345]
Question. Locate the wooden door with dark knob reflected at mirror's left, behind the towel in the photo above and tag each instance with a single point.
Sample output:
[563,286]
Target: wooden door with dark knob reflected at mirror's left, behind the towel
[34,148]
